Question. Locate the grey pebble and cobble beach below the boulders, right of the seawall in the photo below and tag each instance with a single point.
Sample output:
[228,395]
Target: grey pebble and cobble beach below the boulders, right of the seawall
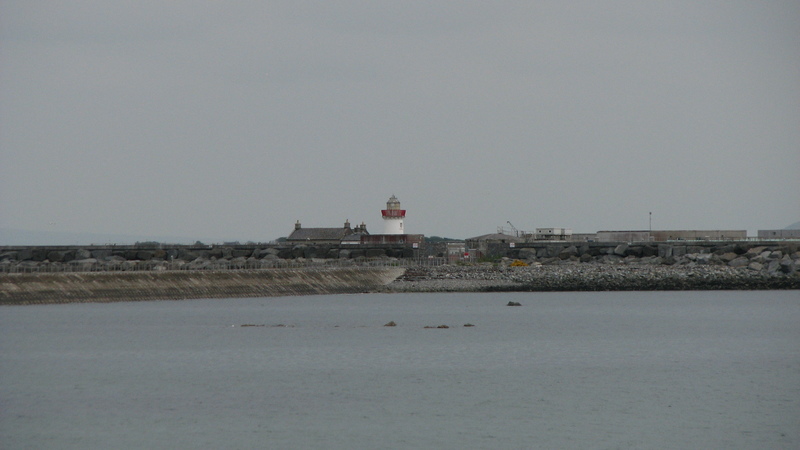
[506,277]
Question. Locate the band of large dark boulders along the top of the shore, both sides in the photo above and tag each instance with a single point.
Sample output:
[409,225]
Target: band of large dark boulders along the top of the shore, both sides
[756,255]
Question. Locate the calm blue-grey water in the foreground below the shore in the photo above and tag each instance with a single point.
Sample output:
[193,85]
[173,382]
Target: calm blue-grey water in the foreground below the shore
[565,370]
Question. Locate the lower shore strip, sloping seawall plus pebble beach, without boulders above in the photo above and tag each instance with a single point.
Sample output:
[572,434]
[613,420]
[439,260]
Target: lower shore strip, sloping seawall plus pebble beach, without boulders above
[19,288]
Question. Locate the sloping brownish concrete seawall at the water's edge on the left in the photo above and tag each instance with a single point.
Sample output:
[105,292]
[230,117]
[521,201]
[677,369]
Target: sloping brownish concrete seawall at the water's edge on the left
[176,285]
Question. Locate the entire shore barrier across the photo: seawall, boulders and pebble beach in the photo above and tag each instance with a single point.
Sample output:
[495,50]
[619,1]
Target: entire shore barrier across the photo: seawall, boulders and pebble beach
[64,274]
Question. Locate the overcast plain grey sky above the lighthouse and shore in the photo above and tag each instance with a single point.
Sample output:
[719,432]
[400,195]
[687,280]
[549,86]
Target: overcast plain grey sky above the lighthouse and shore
[232,120]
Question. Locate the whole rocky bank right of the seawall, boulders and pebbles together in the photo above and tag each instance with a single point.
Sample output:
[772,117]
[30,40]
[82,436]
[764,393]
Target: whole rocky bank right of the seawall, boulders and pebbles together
[565,266]
